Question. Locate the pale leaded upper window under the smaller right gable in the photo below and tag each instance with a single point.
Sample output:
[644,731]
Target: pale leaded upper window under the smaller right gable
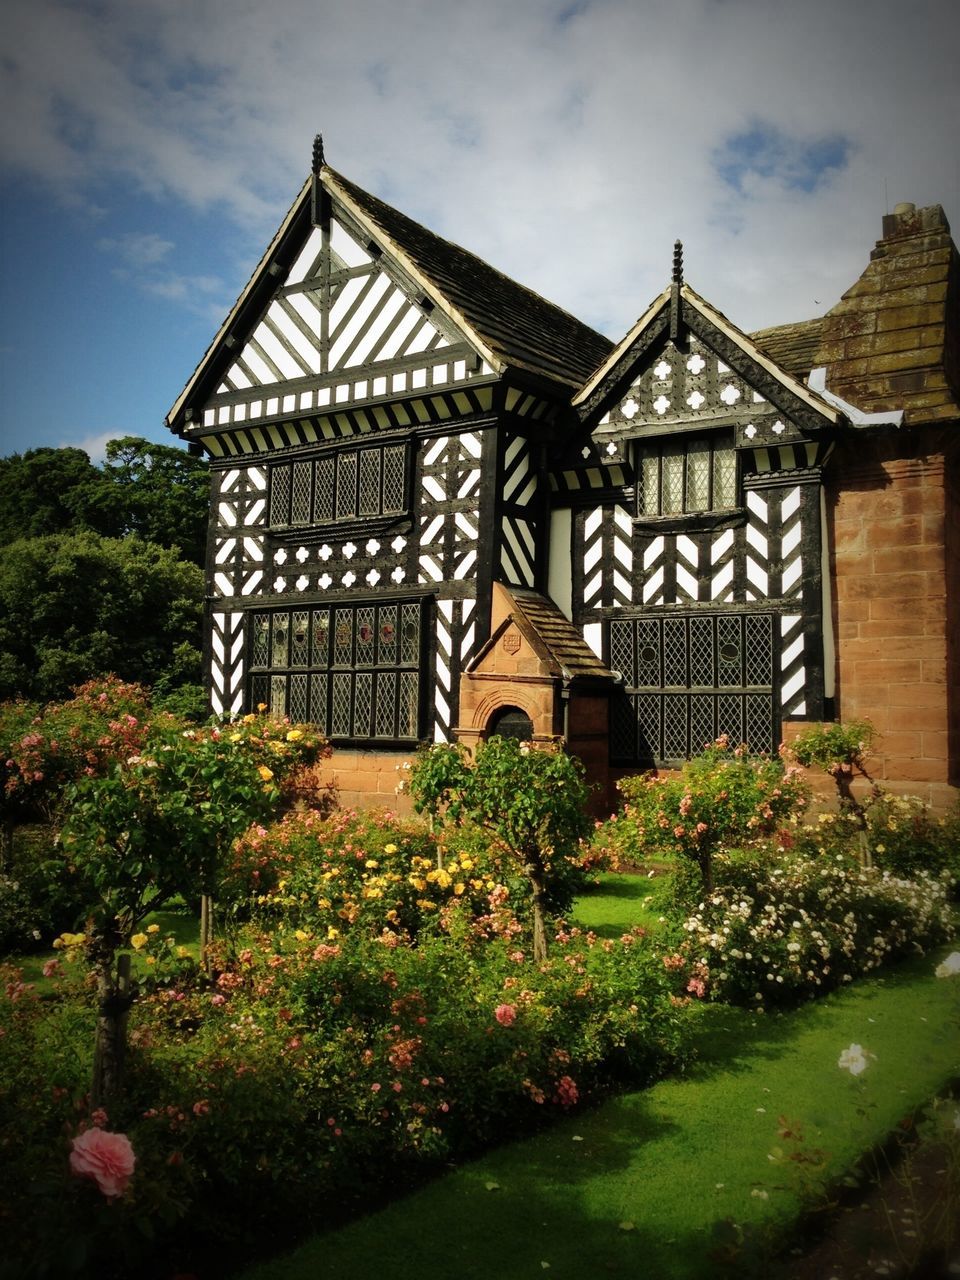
[682,477]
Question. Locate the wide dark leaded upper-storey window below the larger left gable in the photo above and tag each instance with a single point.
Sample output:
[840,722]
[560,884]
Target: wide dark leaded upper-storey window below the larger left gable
[354,484]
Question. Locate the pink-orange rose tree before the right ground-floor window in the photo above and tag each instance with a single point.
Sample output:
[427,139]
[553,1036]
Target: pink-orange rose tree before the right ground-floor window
[720,801]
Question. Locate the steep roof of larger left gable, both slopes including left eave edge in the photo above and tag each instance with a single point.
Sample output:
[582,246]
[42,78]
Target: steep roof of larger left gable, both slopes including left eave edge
[509,324]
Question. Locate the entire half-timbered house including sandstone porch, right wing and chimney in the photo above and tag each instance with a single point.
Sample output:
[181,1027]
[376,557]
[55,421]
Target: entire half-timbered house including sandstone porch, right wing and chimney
[444,508]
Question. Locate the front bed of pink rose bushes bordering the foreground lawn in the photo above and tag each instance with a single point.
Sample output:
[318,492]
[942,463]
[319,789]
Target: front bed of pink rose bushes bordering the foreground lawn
[305,1076]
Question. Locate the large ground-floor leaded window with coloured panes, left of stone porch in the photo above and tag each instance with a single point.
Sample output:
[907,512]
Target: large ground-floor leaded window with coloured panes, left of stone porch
[353,670]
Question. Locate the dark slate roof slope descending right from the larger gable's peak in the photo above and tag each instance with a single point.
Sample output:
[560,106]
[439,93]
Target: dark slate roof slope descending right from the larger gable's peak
[520,327]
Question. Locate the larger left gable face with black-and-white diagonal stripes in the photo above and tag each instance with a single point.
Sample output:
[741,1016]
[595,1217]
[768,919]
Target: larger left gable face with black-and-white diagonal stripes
[344,344]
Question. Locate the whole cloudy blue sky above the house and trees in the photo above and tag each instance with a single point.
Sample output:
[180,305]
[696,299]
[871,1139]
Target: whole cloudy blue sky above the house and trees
[149,150]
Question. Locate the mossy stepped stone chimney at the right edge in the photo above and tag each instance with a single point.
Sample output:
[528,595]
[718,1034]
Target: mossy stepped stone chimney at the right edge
[894,339]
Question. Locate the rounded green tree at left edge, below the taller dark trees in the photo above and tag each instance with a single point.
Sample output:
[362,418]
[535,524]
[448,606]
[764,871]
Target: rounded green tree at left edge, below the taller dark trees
[79,606]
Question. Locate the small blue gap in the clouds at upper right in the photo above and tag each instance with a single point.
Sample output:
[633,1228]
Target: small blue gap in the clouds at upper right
[766,152]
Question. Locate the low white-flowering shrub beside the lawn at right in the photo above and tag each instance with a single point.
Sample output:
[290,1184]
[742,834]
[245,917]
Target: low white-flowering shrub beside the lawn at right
[781,934]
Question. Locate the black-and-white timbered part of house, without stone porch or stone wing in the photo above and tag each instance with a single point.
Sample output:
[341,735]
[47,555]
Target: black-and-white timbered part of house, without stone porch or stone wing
[394,427]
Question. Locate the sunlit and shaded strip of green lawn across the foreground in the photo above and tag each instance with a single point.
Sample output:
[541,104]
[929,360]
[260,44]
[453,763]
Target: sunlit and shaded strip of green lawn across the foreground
[638,1186]
